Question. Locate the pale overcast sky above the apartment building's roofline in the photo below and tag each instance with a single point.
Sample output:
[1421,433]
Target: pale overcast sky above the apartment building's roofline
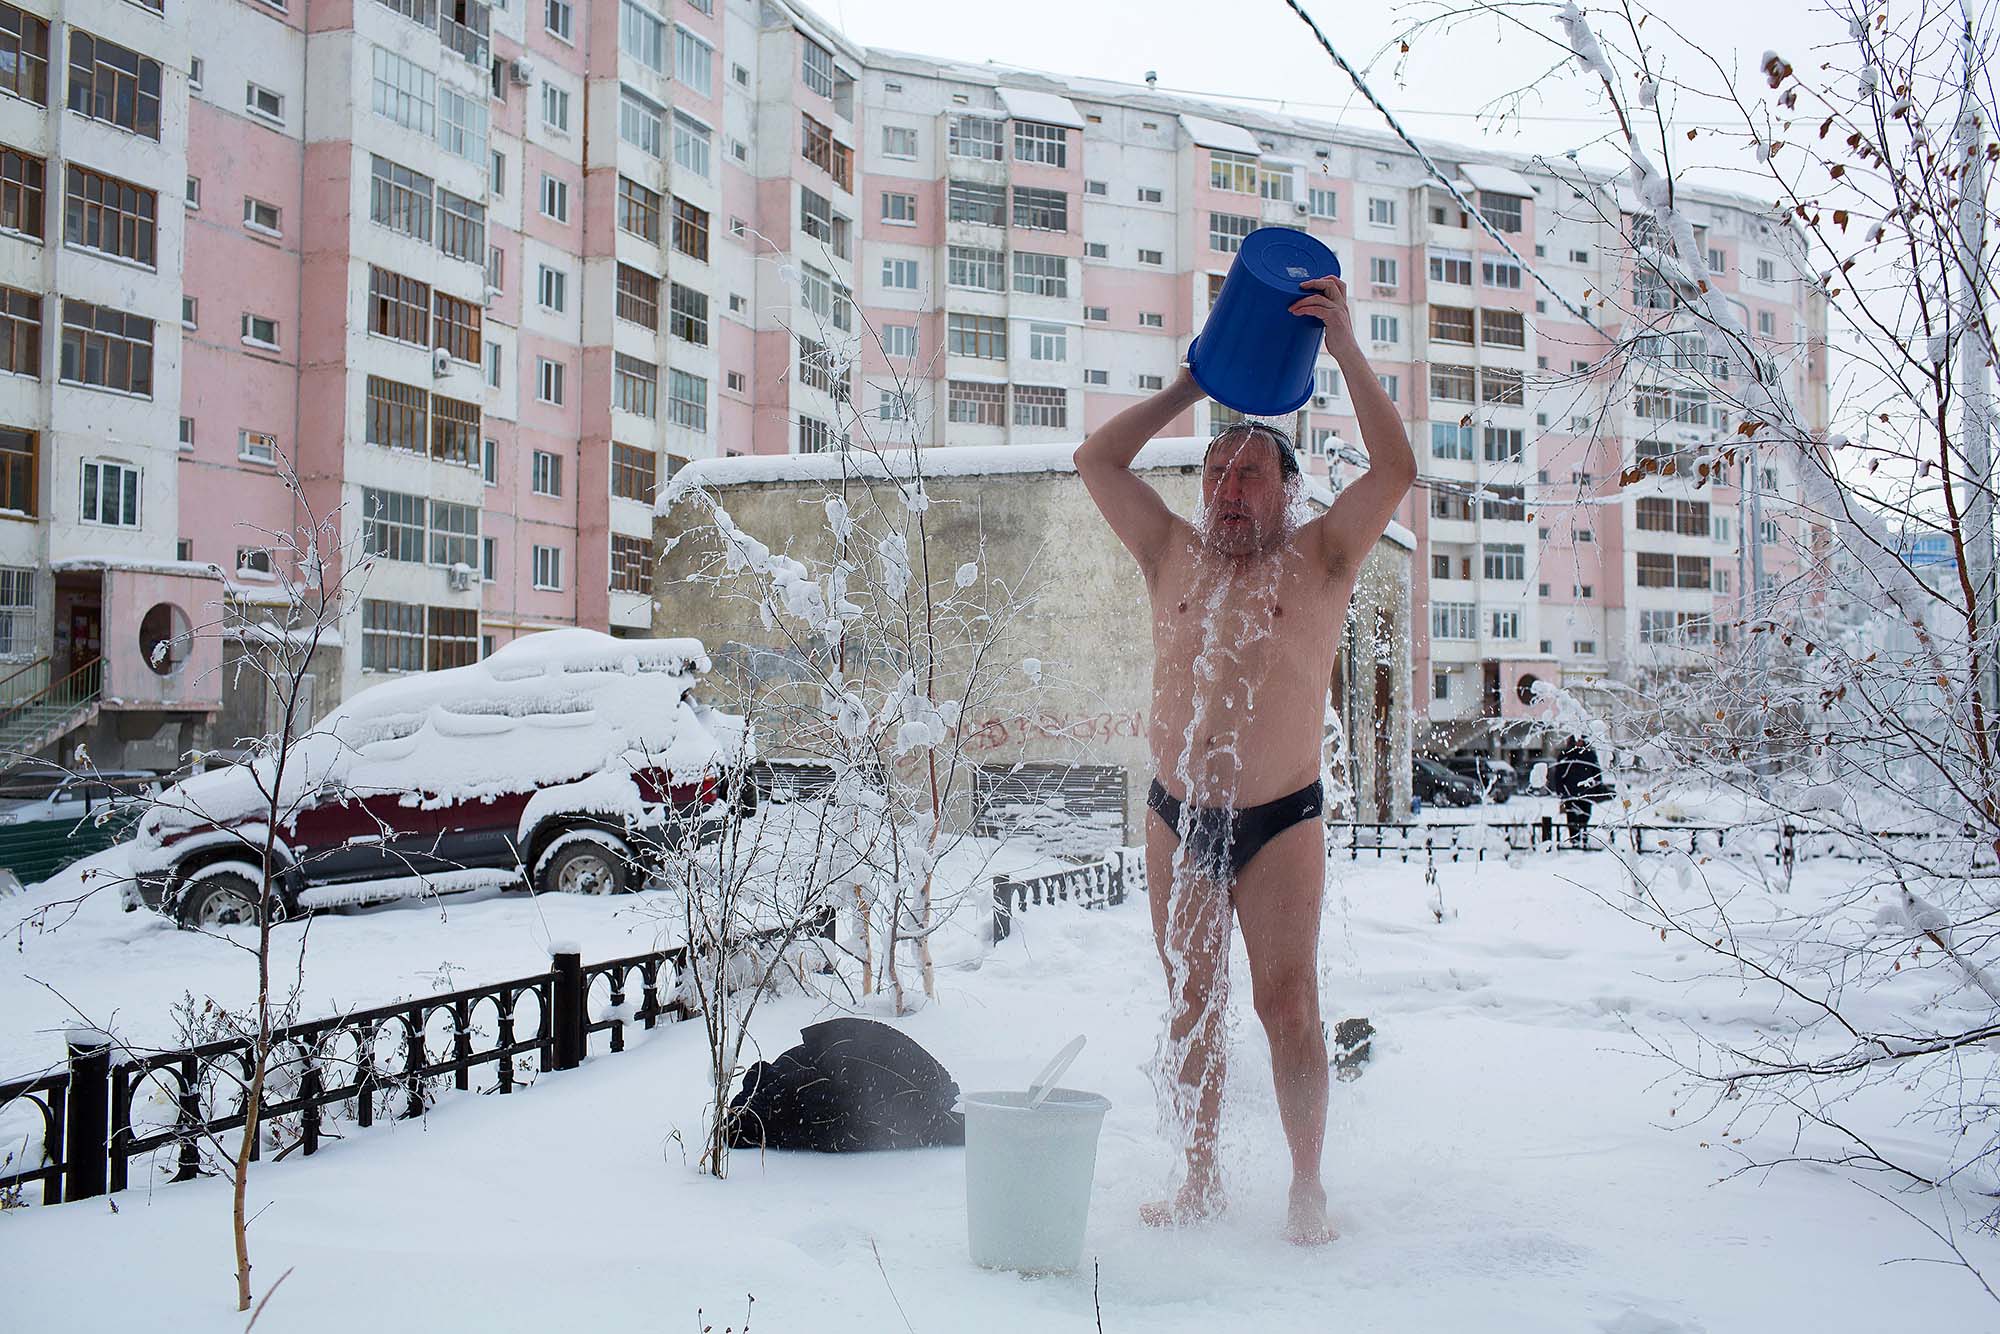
[1259,49]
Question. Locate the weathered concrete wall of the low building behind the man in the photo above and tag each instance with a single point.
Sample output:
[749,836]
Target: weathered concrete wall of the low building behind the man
[1083,615]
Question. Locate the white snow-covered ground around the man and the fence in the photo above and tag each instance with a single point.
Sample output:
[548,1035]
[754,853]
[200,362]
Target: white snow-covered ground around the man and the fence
[1511,1161]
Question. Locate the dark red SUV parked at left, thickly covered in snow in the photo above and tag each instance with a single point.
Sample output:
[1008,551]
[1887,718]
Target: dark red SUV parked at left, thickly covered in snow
[565,761]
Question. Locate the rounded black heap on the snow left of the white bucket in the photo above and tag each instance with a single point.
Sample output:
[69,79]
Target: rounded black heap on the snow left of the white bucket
[847,1087]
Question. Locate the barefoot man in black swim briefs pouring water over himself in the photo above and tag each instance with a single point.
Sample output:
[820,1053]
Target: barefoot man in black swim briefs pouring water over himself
[1247,615]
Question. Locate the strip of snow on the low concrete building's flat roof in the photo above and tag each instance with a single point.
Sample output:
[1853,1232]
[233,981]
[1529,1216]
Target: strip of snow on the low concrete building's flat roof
[953,461]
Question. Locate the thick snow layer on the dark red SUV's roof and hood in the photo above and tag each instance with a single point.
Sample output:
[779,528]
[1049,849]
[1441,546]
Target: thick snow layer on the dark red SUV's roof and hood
[541,711]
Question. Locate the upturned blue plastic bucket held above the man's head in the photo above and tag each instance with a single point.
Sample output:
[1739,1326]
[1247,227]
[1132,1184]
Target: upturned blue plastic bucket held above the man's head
[1255,355]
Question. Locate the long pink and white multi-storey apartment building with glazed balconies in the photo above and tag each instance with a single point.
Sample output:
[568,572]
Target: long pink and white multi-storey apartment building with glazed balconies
[481,277]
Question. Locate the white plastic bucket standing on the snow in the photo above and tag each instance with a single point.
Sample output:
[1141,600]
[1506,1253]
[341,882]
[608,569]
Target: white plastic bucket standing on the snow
[1029,1177]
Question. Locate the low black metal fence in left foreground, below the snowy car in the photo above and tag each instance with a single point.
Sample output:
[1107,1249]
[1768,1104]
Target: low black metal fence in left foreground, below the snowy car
[109,1109]
